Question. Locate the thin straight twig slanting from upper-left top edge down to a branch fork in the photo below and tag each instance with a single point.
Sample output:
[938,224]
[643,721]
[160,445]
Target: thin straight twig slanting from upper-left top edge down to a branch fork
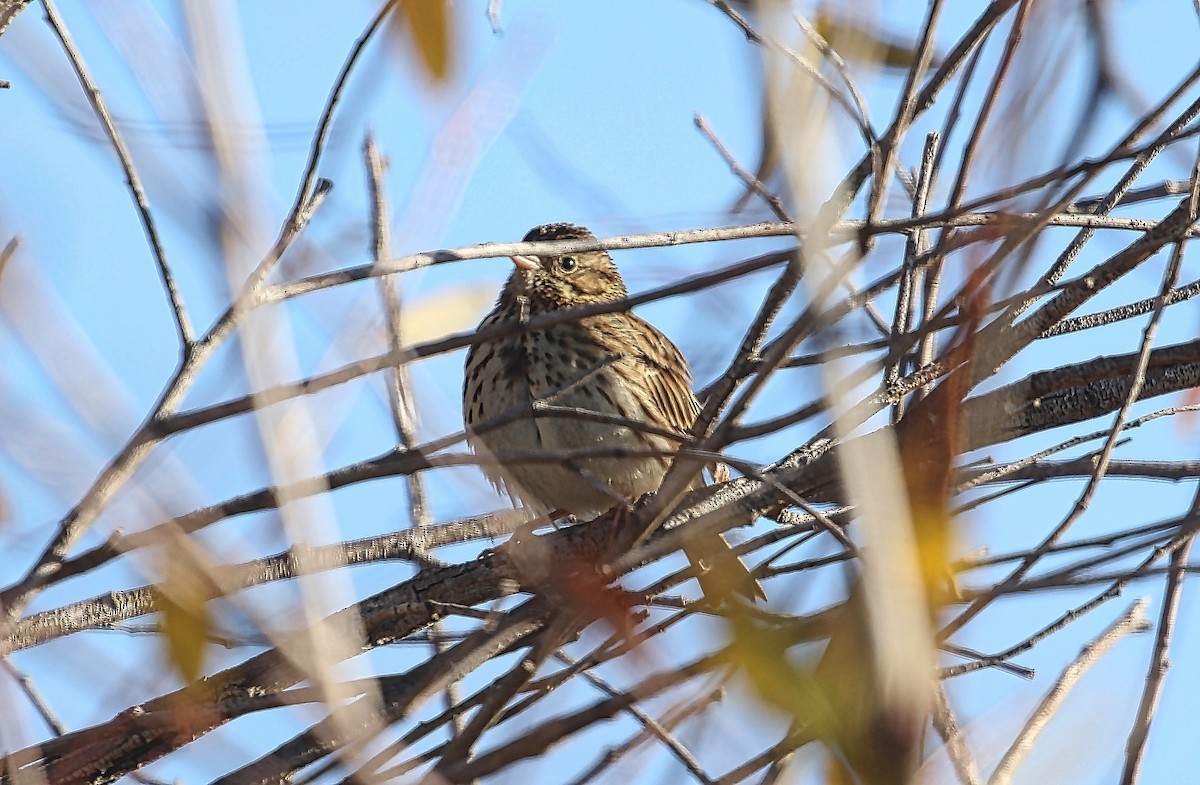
[183,326]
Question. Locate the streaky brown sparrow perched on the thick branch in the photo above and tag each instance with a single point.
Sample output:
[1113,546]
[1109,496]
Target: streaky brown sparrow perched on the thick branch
[616,365]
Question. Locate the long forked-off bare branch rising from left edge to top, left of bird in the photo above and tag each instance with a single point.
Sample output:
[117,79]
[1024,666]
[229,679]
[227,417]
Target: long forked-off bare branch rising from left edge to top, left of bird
[309,199]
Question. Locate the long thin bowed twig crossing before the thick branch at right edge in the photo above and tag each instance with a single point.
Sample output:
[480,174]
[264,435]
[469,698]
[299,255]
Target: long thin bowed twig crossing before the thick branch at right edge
[1138,379]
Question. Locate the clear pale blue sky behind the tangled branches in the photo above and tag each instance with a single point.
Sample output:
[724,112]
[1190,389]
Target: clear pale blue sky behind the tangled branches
[578,112]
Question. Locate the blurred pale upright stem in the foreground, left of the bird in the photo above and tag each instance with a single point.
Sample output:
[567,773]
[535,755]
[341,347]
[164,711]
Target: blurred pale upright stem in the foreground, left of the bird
[287,436]
